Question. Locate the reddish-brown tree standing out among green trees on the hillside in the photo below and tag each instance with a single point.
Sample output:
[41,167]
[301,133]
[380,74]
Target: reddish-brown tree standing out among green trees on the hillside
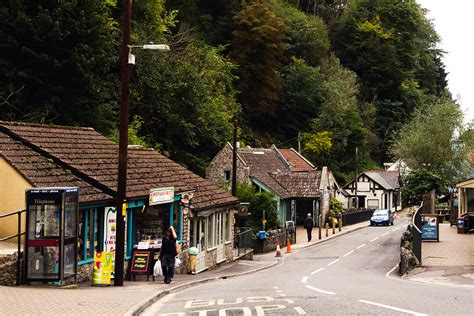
[257,47]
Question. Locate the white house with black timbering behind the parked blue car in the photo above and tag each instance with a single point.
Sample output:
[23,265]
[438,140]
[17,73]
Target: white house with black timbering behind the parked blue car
[375,189]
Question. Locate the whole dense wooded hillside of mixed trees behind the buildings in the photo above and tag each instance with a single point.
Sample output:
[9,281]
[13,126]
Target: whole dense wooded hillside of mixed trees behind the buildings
[342,74]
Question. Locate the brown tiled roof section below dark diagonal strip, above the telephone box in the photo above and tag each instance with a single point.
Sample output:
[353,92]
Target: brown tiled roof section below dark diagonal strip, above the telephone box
[40,172]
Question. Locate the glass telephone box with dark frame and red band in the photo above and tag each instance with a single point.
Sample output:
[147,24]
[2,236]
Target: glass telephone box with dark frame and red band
[51,234]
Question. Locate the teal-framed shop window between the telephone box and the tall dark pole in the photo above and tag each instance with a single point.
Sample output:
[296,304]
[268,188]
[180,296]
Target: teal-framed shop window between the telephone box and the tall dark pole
[90,232]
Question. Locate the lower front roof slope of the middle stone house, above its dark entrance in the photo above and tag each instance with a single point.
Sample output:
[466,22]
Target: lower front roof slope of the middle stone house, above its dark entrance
[300,184]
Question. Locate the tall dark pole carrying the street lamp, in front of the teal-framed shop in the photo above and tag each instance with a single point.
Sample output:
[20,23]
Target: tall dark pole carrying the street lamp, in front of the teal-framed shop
[123,145]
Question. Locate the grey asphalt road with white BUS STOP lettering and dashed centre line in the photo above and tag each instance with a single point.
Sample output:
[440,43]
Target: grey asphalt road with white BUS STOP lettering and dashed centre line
[348,275]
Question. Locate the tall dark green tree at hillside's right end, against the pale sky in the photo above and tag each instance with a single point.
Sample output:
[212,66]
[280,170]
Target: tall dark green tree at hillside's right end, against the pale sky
[391,46]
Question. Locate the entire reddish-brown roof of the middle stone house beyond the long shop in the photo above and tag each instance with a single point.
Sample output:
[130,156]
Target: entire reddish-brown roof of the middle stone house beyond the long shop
[285,173]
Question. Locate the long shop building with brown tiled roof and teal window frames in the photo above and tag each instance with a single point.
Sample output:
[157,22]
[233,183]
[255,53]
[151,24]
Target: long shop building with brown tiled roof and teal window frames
[33,155]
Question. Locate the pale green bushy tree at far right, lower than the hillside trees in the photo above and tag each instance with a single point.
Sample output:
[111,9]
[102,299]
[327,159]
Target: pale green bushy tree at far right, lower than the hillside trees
[431,140]
